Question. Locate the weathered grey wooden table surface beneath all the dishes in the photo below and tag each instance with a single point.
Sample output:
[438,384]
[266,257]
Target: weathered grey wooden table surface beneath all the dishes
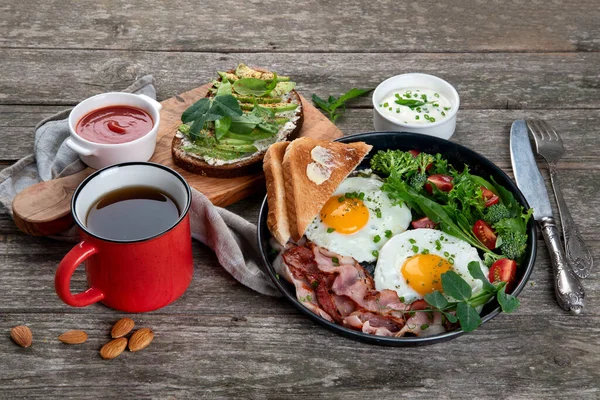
[508,60]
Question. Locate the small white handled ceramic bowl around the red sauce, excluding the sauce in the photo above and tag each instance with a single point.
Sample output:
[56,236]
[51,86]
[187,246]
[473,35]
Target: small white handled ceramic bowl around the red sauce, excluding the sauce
[100,155]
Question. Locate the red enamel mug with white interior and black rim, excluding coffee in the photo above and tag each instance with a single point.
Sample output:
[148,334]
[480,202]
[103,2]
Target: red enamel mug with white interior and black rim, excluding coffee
[130,275]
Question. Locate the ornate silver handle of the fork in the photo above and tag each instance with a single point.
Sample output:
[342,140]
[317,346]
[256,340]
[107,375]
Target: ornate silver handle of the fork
[578,255]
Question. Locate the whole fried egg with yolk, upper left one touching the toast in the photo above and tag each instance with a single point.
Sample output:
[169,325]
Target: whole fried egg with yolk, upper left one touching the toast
[358,220]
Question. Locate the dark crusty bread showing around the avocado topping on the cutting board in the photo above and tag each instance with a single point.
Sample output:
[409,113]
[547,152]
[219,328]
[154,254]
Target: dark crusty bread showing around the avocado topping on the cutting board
[244,166]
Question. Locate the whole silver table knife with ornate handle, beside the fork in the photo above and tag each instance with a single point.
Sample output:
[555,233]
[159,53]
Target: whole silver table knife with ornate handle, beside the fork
[568,289]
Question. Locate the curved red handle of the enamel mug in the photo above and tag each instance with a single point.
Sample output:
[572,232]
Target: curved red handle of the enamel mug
[66,268]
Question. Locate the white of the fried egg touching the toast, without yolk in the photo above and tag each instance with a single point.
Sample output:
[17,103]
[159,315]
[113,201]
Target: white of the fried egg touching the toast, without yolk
[360,245]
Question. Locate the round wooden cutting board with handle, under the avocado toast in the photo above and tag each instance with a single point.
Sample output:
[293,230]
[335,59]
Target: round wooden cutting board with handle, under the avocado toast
[45,208]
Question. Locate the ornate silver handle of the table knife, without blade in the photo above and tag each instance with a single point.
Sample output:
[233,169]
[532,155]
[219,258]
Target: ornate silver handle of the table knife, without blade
[569,292]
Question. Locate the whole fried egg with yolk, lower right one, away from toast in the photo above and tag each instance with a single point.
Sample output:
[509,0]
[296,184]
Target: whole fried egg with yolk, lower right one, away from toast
[412,263]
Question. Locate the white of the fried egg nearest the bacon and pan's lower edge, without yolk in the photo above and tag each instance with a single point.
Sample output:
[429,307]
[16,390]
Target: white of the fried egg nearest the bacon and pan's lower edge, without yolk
[388,272]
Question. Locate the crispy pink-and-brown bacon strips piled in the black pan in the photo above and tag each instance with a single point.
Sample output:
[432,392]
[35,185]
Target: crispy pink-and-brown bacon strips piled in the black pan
[345,292]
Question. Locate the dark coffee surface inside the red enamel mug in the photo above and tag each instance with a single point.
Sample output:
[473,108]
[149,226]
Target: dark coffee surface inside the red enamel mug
[132,213]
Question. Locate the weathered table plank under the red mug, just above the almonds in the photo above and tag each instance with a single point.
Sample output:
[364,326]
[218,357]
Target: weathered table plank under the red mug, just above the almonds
[29,265]
